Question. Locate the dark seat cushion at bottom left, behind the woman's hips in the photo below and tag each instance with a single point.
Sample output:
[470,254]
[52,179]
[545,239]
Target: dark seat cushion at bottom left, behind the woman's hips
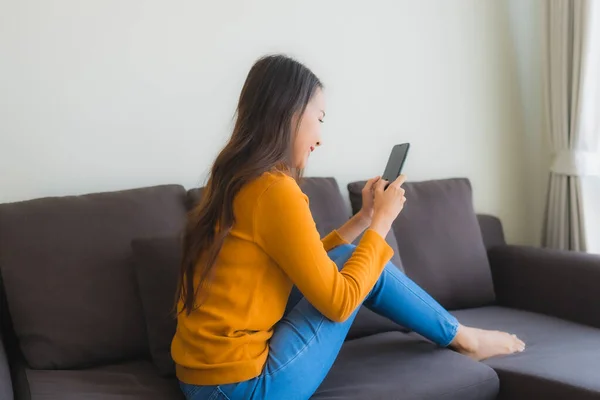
[129,381]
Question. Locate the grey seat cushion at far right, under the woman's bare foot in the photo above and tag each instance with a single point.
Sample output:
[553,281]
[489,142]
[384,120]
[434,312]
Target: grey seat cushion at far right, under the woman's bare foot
[561,360]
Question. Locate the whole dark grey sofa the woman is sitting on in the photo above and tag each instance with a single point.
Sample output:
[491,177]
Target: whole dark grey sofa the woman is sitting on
[87,282]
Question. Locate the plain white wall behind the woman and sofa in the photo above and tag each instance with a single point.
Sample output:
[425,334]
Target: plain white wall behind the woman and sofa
[114,94]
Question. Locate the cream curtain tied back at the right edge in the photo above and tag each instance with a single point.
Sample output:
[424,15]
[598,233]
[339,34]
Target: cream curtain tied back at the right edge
[572,95]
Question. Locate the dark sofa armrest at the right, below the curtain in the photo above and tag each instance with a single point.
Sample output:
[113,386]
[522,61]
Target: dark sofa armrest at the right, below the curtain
[558,283]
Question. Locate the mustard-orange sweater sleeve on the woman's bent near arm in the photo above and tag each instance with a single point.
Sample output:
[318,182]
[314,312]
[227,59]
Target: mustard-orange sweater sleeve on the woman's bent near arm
[285,230]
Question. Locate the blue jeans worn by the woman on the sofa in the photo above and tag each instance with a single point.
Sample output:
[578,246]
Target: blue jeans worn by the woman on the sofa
[305,343]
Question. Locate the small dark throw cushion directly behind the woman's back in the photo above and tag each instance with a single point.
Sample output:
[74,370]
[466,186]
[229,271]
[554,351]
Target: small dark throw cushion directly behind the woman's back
[156,265]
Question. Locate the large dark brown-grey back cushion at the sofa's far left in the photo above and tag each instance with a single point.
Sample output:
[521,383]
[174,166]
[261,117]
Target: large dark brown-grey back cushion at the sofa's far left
[69,280]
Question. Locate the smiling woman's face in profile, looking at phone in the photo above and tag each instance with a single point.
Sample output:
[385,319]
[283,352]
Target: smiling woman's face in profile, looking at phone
[308,137]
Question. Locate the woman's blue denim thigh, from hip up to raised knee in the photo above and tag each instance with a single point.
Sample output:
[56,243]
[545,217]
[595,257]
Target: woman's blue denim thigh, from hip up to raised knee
[302,350]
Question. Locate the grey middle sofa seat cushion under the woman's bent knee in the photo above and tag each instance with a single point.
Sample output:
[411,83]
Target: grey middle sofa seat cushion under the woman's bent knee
[395,365]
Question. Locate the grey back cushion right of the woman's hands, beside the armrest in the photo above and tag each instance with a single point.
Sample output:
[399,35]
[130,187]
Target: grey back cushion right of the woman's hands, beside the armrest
[440,242]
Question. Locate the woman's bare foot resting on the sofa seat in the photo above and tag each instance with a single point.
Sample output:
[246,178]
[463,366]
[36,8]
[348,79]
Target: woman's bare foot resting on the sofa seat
[480,344]
